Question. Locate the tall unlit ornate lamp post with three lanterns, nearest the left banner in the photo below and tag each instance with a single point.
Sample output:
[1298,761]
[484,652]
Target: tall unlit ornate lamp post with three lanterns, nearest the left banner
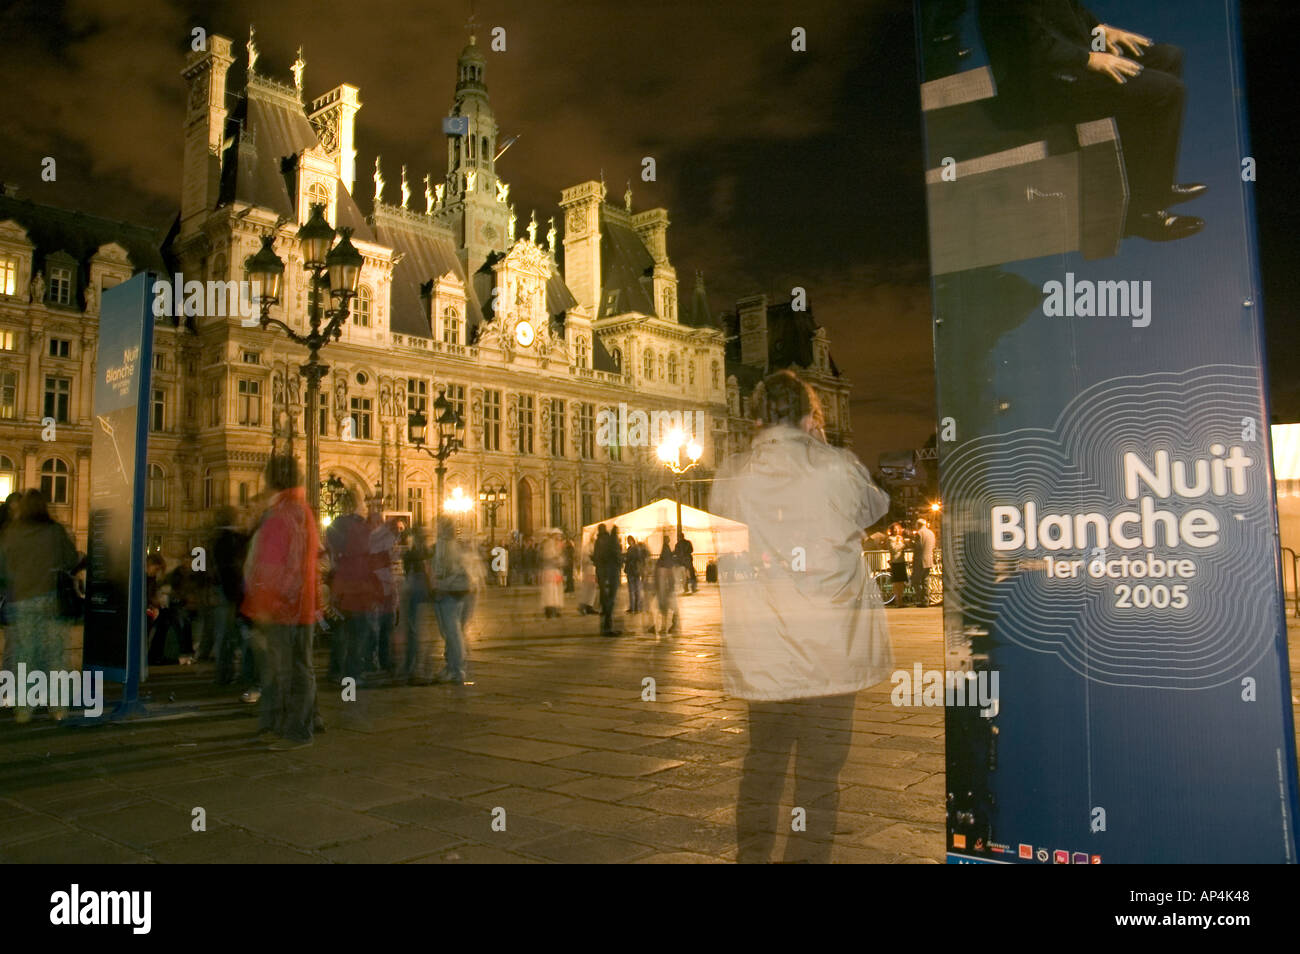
[337,270]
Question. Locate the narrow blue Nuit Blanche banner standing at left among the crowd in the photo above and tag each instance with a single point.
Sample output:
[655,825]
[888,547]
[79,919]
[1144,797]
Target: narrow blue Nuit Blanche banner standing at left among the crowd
[115,575]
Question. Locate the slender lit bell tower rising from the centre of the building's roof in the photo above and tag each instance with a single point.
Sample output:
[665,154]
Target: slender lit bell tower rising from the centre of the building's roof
[475,203]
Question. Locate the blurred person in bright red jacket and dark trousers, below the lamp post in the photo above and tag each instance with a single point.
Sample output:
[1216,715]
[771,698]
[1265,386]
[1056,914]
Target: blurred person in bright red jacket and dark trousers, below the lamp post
[281,601]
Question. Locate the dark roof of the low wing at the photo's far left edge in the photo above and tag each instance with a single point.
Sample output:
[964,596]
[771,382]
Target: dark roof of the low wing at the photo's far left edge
[81,236]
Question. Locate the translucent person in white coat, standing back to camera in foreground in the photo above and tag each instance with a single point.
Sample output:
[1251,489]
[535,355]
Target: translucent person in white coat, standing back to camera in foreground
[803,639]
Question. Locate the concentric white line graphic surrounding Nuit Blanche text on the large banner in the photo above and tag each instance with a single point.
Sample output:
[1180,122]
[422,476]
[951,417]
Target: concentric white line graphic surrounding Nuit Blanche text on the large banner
[1133,539]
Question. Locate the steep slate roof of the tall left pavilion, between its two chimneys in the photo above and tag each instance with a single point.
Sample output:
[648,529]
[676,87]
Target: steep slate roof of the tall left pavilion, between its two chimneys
[268,132]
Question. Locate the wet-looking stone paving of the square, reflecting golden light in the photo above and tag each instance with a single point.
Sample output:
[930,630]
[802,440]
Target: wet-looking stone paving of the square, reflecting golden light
[556,732]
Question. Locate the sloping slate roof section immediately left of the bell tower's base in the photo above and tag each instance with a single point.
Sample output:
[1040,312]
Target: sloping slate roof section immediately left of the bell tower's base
[428,253]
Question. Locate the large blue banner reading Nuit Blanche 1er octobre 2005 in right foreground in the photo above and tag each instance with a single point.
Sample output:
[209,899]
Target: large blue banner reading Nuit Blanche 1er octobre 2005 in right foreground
[1111,540]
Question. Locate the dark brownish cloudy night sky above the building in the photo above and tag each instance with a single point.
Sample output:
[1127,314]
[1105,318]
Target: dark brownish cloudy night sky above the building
[778,168]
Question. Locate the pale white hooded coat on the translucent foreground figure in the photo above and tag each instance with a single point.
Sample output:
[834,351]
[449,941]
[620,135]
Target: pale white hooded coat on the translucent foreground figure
[812,623]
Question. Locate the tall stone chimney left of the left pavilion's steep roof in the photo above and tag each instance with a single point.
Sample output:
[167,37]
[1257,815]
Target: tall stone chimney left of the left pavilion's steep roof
[205,129]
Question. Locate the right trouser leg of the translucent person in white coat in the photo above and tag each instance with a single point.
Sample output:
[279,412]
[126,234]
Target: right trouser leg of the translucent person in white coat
[825,736]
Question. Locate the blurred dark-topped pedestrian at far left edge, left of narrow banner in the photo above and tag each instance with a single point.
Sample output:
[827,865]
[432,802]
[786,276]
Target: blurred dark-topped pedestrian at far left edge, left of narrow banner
[37,560]
